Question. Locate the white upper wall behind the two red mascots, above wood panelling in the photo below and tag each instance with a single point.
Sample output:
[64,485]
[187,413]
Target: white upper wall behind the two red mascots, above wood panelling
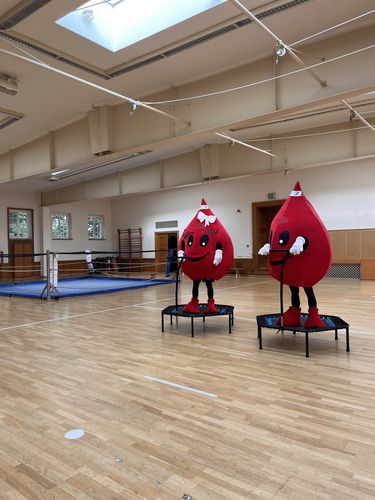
[343,195]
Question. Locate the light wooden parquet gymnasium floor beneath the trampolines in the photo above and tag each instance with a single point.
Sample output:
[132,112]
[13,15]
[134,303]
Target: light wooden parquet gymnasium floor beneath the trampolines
[282,426]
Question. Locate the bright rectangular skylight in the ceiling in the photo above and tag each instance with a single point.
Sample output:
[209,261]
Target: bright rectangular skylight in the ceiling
[116,24]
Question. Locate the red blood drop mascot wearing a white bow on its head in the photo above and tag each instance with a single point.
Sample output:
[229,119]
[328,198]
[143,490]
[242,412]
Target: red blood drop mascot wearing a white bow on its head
[208,254]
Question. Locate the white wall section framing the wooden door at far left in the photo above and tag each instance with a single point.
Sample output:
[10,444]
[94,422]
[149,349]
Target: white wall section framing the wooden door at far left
[17,199]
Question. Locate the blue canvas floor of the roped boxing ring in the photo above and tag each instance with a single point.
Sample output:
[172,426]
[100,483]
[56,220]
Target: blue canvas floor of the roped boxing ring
[70,287]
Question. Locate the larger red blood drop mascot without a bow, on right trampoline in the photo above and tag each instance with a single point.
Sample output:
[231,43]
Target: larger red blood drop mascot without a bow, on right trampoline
[298,230]
